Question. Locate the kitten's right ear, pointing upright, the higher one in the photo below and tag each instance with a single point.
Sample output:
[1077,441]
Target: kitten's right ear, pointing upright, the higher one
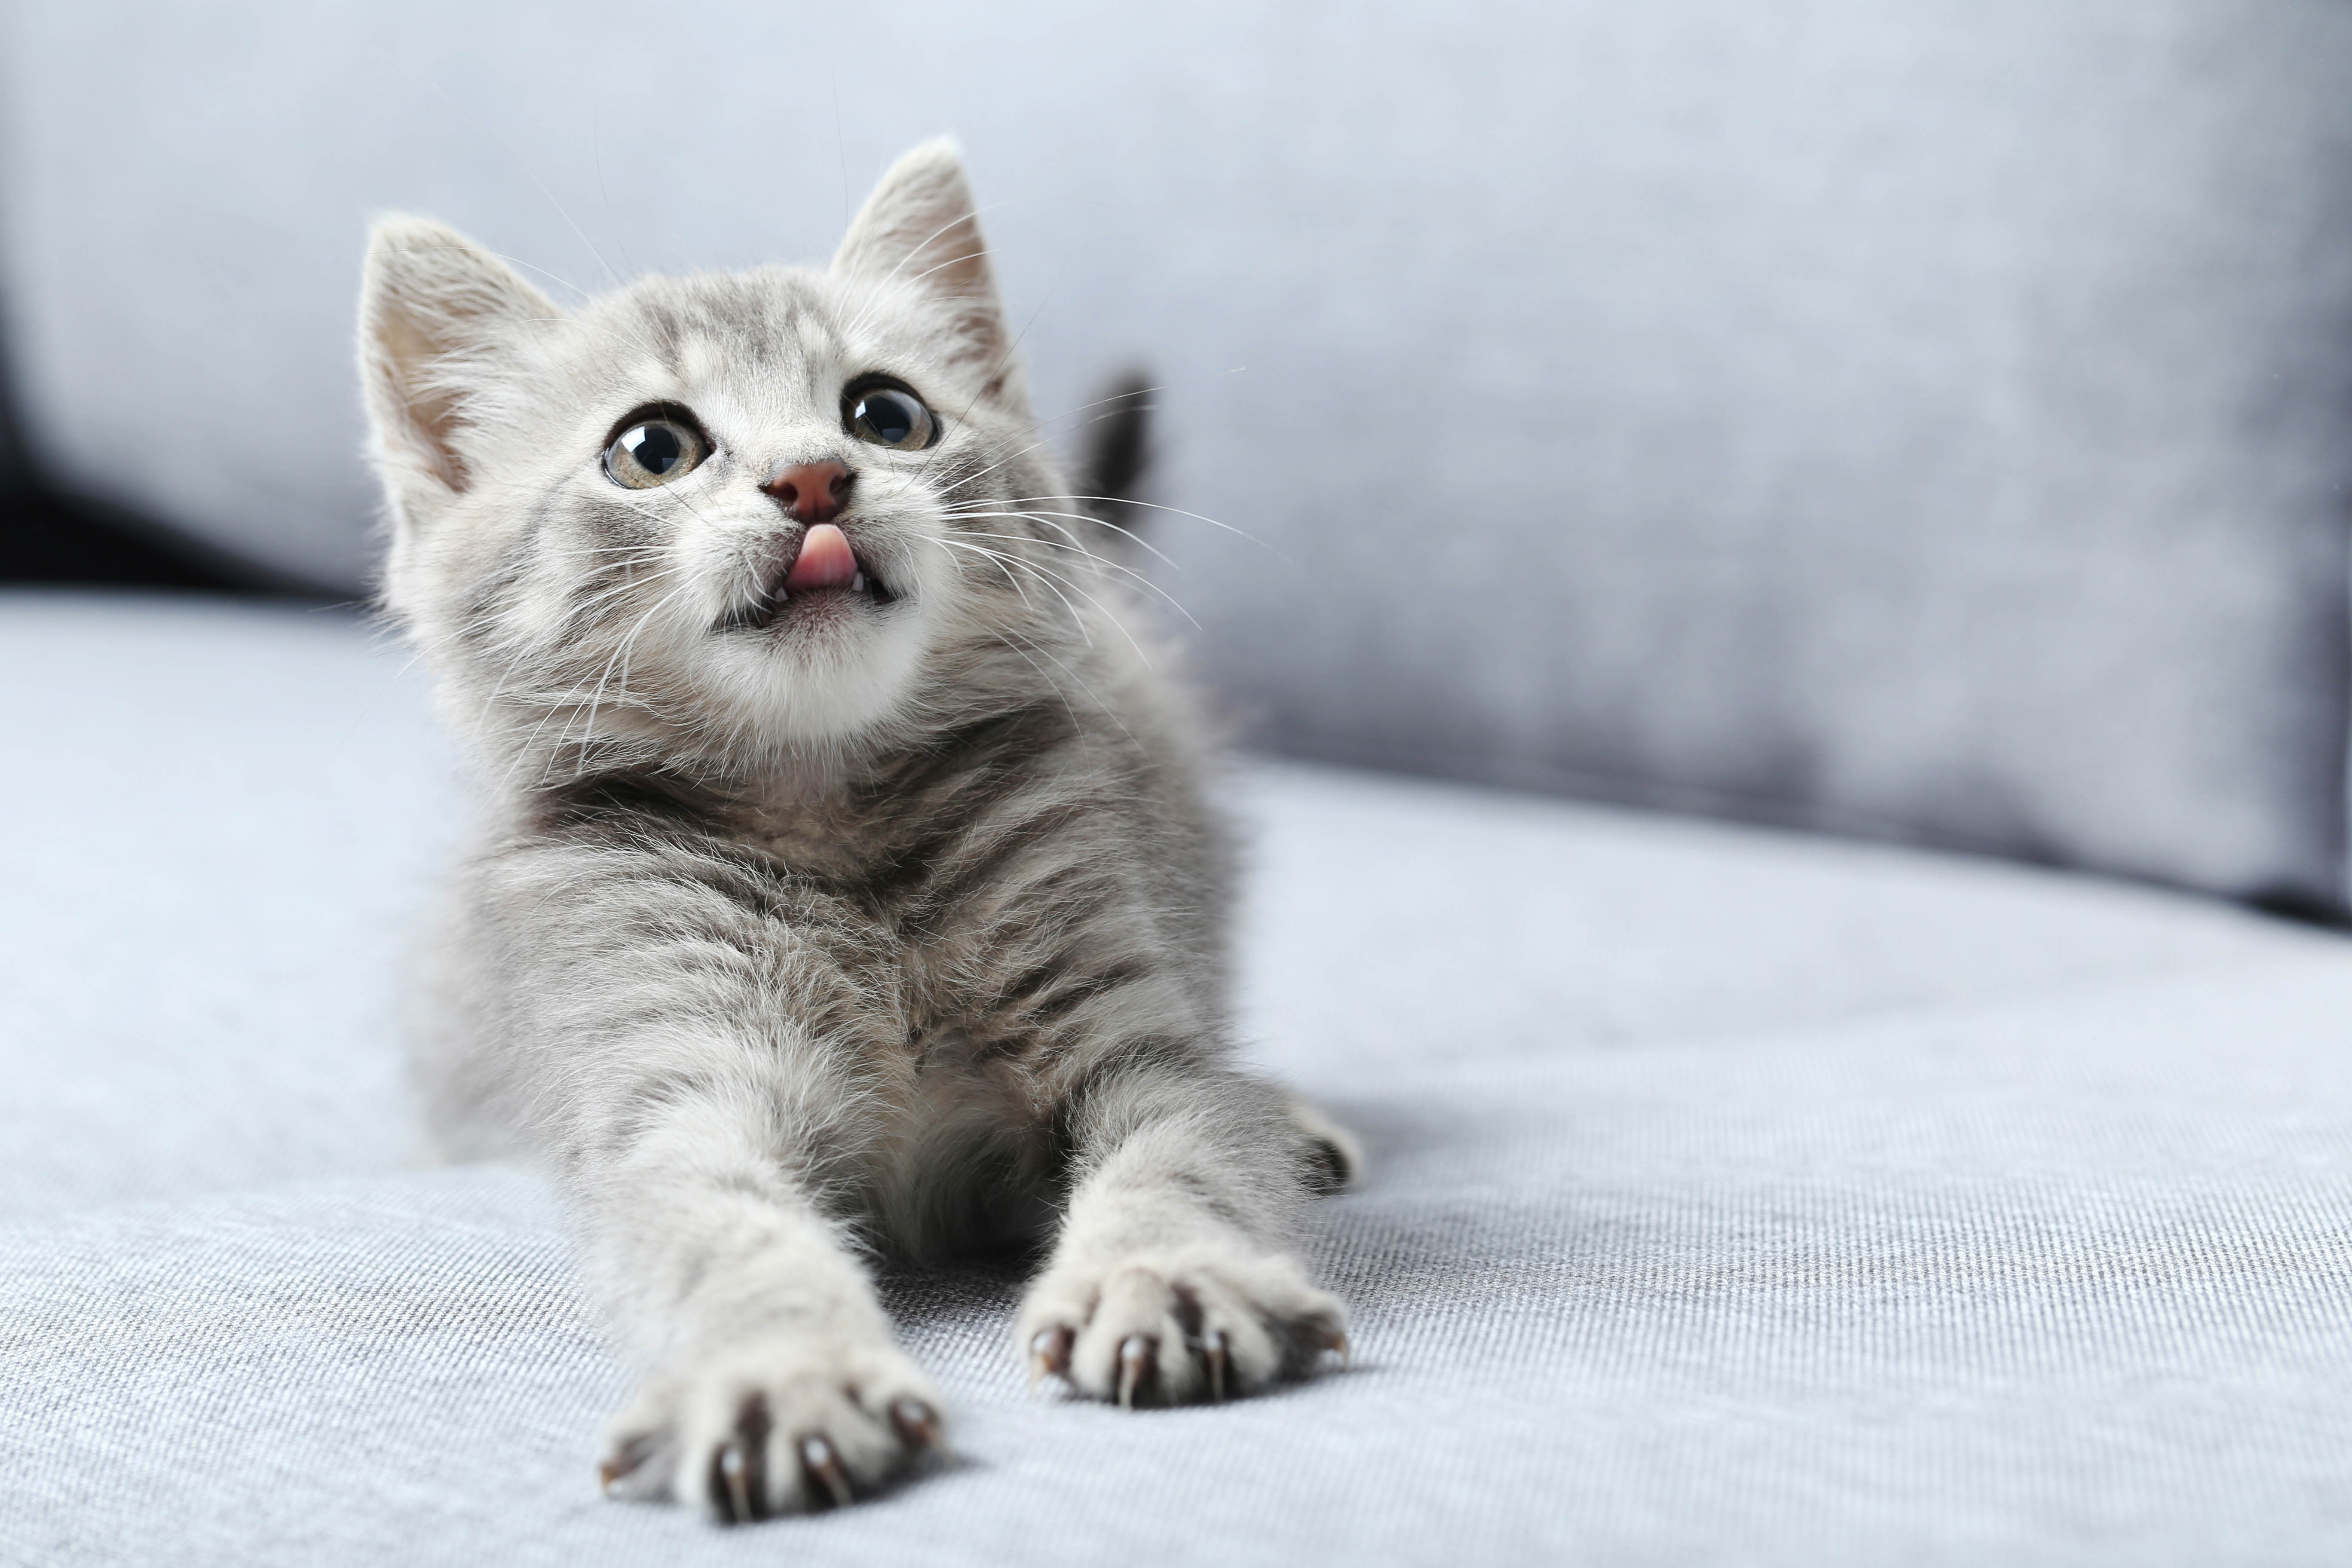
[921,227]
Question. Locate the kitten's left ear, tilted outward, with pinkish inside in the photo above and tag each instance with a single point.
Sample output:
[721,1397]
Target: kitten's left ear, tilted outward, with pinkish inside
[434,314]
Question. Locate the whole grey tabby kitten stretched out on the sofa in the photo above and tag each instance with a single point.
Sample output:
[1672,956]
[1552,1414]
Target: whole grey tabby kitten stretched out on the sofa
[848,878]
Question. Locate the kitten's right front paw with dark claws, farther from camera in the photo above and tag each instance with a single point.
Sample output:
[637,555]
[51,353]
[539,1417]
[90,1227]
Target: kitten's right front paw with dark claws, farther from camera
[1180,1327]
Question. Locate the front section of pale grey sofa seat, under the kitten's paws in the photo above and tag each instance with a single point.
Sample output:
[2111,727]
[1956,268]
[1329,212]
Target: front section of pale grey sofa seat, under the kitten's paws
[2057,1282]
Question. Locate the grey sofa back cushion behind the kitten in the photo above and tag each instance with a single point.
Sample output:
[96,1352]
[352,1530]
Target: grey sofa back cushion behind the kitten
[1923,420]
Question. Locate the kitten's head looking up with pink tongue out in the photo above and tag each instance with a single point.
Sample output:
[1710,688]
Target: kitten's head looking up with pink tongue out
[716,518]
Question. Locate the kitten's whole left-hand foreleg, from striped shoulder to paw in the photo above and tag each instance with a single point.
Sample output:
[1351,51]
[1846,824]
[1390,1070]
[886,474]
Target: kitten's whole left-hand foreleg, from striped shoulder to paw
[702,1052]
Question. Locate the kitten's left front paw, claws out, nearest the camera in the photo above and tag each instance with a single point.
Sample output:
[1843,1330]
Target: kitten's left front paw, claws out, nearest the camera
[784,1426]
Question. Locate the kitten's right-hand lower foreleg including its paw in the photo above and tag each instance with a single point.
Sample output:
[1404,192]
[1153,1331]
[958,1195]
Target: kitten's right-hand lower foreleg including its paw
[1177,1273]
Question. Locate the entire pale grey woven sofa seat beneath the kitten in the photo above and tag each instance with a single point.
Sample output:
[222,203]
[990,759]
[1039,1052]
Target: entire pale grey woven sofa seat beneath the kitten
[1735,1198]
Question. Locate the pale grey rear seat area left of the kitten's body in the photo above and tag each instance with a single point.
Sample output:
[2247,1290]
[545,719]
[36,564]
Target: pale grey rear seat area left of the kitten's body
[220,829]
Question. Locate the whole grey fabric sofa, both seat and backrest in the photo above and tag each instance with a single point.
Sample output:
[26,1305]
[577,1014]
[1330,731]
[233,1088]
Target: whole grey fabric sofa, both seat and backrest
[1920,422]
